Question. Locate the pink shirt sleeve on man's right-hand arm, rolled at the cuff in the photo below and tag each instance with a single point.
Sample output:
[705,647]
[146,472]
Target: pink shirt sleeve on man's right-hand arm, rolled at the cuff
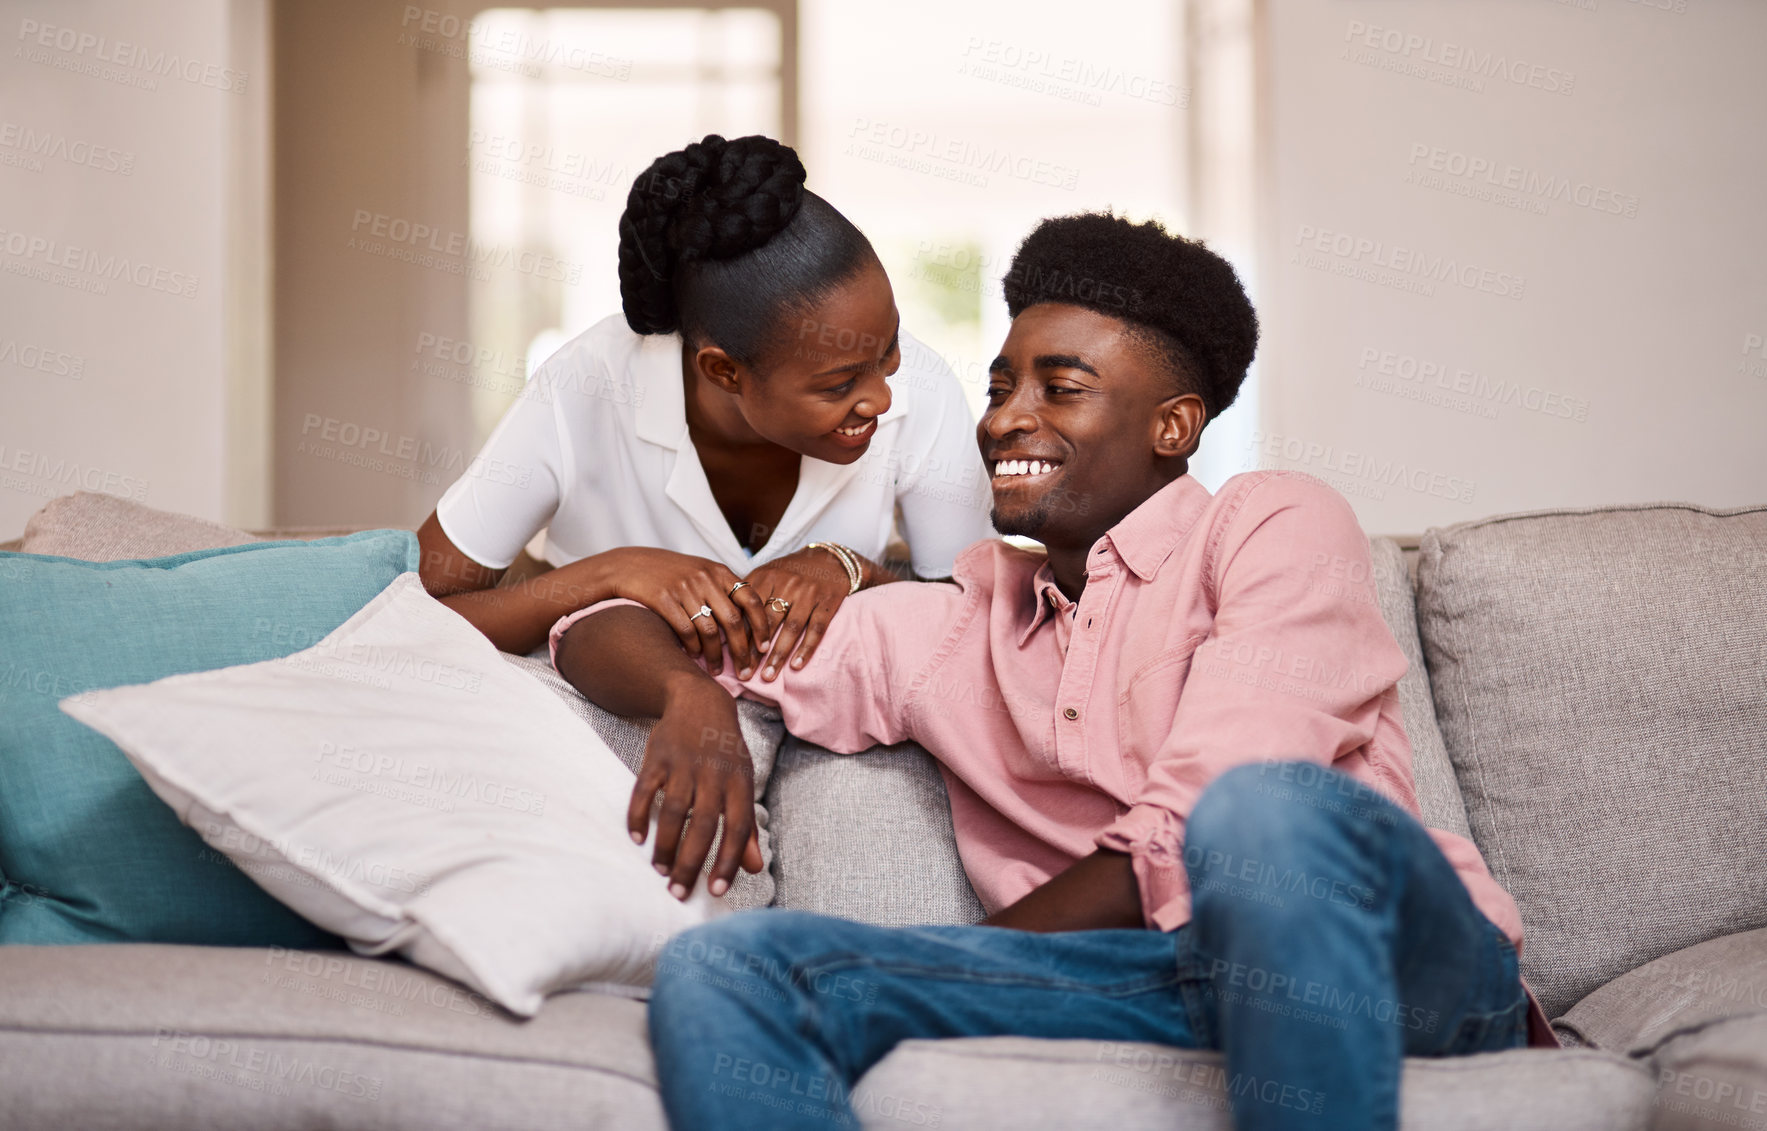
[1296,667]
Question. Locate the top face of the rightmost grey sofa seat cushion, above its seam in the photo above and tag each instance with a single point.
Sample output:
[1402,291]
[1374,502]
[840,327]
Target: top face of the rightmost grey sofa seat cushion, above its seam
[1680,992]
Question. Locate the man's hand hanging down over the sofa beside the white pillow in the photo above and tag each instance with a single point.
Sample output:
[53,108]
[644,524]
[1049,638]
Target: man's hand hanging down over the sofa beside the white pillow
[697,759]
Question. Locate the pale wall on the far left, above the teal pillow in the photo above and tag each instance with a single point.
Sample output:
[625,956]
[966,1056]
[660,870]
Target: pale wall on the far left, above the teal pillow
[133,257]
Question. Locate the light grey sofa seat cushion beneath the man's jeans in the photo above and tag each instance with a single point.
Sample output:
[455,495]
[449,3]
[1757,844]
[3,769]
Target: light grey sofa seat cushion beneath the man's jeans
[1056,1086]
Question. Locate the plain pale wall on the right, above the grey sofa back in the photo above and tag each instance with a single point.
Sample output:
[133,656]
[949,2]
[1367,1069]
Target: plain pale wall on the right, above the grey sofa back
[1540,287]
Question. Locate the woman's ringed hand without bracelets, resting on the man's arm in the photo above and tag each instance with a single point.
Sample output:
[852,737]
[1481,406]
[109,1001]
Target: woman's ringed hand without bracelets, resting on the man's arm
[678,586]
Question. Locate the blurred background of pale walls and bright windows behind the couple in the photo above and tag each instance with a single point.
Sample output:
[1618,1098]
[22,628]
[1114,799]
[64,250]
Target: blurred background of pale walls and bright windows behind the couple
[285,262]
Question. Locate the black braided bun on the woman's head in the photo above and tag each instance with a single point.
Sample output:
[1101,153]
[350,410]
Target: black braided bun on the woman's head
[713,201]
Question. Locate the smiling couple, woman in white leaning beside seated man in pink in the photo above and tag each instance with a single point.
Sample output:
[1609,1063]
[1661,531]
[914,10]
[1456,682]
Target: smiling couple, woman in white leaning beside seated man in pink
[1176,763]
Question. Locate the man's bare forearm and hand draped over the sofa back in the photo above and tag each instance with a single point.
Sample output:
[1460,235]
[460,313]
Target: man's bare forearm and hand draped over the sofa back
[697,757]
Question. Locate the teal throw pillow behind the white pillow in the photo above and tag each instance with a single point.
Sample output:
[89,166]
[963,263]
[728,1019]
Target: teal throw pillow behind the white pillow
[87,851]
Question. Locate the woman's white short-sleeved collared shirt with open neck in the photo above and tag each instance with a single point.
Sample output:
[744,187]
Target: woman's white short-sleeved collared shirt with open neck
[596,453]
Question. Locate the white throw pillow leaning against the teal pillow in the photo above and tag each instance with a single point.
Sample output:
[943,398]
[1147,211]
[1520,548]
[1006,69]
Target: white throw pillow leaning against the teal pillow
[402,786]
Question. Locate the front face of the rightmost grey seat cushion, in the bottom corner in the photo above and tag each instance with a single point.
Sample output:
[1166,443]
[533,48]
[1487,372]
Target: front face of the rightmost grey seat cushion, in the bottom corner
[1713,1077]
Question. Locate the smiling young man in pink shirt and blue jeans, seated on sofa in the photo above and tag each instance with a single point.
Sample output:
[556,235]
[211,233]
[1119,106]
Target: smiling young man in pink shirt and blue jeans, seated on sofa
[1190,812]
